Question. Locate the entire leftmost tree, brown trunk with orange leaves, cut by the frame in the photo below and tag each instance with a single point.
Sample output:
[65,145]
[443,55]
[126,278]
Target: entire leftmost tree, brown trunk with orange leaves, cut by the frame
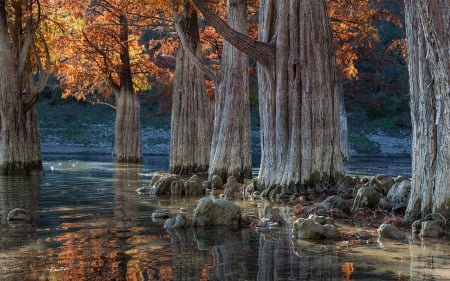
[24,61]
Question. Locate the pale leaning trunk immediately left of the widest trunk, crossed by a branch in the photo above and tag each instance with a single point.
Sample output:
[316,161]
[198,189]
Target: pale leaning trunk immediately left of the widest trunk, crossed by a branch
[231,145]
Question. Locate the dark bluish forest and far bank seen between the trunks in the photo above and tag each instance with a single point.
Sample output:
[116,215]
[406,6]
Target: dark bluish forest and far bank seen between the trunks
[376,101]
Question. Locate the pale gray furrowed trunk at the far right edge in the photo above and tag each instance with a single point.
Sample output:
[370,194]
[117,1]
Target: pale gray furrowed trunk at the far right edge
[428,38]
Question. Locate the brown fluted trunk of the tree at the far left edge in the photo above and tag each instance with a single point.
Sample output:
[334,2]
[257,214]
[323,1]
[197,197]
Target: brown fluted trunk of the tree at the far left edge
[19,136]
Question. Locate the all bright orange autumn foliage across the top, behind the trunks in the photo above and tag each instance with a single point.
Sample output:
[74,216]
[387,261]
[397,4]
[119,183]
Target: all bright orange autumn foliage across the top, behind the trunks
[86,44]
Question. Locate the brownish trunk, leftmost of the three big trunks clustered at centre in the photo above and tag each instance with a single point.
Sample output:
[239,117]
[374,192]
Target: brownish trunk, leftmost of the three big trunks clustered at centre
[192,110]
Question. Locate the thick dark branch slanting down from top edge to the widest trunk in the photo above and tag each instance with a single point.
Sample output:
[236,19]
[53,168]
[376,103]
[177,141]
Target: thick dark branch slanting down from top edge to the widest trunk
[260,51]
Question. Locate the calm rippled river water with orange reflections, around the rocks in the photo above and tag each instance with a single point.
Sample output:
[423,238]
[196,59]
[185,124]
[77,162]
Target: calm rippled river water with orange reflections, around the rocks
[90,224]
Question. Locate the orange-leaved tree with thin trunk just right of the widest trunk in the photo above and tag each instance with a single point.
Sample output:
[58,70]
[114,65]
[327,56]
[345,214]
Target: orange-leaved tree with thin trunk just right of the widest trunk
[355,25]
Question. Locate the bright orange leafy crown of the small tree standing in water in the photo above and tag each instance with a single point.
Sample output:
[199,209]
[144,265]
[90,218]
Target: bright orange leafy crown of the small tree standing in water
[101,41]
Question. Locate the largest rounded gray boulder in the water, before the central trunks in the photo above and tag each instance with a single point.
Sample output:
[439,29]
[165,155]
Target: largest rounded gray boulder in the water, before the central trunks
[217,212]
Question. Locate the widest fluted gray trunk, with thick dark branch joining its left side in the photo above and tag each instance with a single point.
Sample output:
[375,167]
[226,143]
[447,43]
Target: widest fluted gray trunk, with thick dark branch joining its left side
[299,105]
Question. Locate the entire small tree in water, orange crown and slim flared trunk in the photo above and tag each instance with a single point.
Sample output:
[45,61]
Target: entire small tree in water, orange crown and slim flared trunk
[101,54]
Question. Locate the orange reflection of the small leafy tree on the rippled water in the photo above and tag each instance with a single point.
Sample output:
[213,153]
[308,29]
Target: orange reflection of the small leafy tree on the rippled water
[109,246]
